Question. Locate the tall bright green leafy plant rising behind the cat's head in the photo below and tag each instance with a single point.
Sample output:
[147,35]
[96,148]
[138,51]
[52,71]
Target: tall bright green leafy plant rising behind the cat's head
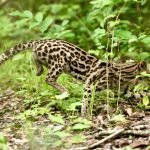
[115,32]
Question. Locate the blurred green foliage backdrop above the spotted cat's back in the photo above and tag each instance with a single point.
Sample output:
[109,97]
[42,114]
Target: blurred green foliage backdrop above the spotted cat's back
[120,27]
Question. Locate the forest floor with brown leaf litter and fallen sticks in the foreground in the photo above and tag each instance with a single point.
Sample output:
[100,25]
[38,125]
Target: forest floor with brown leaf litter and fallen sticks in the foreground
[130,132]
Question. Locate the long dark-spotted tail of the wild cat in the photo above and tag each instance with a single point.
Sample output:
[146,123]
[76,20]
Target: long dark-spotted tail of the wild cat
[14,50]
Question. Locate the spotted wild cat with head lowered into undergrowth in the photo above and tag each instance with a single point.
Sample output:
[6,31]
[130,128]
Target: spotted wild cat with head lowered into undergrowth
[60,56]
